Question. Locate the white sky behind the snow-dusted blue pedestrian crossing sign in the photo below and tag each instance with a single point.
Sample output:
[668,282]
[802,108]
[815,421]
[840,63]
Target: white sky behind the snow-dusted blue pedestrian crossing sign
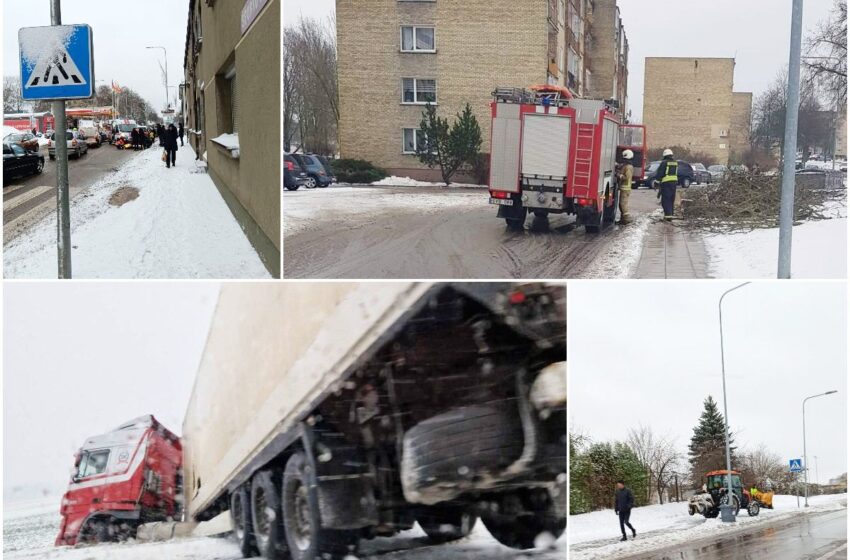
[121,32]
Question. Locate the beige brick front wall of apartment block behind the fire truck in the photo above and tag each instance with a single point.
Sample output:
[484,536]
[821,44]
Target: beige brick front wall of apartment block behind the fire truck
[480,45]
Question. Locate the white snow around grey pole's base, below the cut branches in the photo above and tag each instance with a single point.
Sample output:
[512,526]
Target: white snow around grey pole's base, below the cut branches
[819,250]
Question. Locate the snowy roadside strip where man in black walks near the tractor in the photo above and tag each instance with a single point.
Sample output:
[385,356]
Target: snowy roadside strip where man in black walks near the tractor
[596,535]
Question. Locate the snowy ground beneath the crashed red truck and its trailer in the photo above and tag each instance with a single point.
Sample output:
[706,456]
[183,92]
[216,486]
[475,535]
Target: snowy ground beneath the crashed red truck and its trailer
[28,535]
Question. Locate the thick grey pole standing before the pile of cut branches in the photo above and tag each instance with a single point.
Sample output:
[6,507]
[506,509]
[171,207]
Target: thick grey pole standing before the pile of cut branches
[789,154]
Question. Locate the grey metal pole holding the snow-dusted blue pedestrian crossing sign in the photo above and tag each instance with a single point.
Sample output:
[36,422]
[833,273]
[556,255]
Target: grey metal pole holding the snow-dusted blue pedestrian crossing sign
[63,209]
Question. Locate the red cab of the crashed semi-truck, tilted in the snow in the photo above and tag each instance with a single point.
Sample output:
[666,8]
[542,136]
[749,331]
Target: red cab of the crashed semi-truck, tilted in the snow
[128,476]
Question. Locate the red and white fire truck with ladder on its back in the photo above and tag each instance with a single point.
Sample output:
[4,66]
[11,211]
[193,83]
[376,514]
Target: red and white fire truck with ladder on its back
[553,154]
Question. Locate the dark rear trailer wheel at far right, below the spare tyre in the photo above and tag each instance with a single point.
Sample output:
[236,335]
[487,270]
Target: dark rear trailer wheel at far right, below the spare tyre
[518,519]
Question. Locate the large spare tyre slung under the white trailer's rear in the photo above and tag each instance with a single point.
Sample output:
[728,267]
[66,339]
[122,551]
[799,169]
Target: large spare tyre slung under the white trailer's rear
[444,453]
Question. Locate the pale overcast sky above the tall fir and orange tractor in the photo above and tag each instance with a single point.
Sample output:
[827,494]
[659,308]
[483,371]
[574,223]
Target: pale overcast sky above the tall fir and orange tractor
[649,353]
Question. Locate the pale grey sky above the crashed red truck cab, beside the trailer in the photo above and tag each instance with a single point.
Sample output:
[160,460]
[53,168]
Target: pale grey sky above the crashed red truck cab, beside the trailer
[82,358]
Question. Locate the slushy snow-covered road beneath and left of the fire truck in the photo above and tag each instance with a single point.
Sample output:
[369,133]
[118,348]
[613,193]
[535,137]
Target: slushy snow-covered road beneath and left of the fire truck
[432,232]
